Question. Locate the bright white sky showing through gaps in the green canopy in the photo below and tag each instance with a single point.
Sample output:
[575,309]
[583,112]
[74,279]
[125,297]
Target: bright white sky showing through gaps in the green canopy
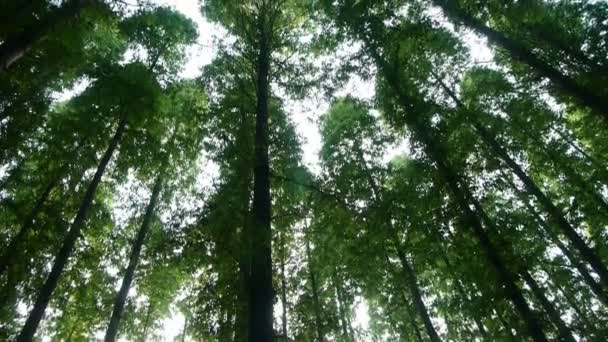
[305,114]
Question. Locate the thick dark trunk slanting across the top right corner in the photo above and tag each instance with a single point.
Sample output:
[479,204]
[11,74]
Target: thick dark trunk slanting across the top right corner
[567,84]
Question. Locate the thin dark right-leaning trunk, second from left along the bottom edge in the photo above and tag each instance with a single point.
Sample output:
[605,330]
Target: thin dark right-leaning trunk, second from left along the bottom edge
[138,243]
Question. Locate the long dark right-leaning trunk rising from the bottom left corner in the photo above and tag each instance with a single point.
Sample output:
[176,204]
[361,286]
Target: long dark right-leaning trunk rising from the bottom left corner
[44,295]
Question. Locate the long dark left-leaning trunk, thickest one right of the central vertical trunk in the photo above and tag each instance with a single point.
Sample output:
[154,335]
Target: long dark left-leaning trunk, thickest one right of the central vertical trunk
[463,197]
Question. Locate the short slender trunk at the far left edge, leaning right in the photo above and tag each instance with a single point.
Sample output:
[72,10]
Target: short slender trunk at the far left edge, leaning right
[13,249]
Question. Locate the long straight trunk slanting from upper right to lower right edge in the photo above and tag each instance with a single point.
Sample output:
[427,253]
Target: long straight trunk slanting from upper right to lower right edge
[555,213]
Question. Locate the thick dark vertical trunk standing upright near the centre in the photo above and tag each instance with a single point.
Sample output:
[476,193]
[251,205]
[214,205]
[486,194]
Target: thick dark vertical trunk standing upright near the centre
[261,292]
